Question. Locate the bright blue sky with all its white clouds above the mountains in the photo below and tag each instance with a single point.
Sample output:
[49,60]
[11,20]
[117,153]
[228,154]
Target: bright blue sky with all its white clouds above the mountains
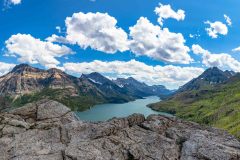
[164,42]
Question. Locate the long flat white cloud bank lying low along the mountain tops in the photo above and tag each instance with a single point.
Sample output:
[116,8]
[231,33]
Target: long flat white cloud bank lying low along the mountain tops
[171,76]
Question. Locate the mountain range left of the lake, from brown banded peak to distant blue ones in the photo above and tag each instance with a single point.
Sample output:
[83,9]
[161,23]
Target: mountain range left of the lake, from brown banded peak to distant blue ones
[26,84]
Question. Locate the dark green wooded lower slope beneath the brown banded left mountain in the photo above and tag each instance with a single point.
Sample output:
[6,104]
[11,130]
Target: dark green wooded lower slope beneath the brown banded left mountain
[78,102]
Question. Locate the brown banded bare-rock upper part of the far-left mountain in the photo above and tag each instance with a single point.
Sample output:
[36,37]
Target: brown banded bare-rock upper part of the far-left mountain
[24,79]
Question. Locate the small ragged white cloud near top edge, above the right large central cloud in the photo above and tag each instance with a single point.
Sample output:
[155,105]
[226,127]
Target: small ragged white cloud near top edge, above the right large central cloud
[165,12]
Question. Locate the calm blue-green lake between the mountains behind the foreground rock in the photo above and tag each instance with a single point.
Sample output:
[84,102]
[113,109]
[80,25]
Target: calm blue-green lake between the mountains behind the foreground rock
[105,112]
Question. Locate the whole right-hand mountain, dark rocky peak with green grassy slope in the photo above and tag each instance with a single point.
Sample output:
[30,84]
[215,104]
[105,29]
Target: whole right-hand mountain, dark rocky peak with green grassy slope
[215,101]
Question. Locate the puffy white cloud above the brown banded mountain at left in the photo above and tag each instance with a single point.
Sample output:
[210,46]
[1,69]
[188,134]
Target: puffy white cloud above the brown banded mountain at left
[31,50]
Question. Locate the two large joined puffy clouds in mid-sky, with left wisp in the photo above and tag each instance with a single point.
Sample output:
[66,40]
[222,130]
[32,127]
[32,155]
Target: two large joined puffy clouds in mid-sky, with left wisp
[99,32]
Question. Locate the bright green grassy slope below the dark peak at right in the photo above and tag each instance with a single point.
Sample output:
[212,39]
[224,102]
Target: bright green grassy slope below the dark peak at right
[218,106]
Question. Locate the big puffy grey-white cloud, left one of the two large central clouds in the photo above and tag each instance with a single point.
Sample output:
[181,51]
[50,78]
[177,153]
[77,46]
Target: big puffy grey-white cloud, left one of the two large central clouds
[96,30]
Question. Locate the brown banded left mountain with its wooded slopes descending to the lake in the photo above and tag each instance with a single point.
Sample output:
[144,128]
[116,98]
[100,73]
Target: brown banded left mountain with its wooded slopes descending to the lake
[26,84]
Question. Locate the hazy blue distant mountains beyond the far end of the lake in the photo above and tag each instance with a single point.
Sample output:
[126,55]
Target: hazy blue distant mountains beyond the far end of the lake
[137,88]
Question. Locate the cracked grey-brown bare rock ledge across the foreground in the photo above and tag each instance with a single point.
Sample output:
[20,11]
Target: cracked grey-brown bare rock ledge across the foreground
[47,130]
